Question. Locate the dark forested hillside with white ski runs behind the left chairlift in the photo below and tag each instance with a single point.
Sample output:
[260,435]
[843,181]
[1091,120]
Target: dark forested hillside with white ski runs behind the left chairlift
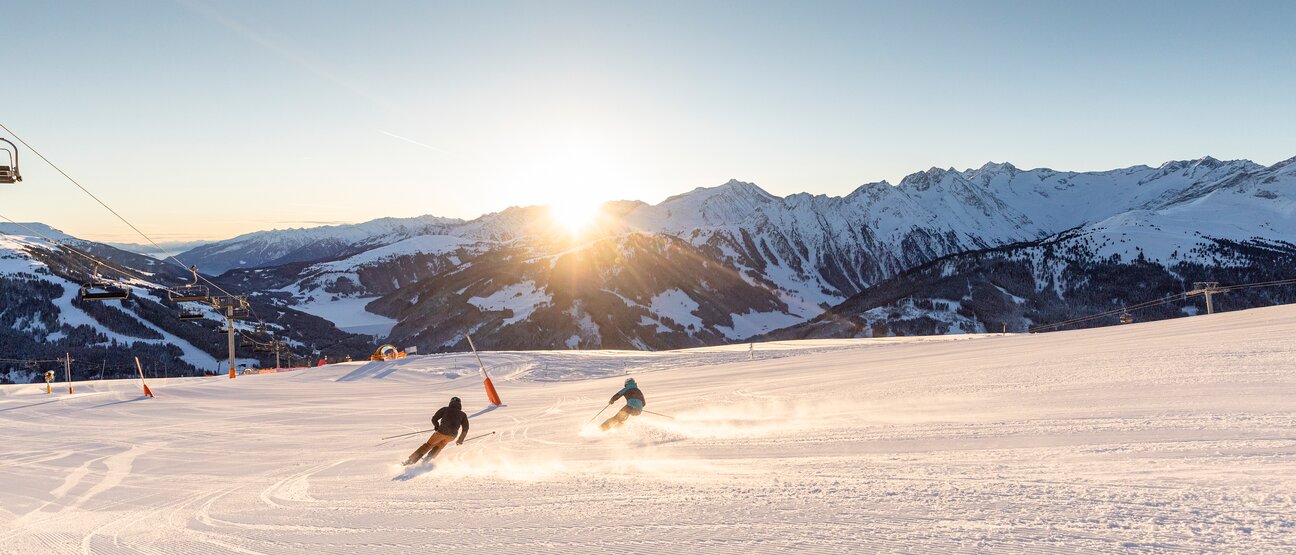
[42,316]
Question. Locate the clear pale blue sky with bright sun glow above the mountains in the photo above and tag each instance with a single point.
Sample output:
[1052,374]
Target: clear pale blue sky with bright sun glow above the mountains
[203,120]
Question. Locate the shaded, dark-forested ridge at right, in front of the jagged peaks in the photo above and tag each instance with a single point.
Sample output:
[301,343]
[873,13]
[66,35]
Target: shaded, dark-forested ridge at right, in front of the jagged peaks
[1236,231]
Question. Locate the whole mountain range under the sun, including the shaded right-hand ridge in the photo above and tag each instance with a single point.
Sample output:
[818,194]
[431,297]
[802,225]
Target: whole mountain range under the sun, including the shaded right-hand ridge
[943,251]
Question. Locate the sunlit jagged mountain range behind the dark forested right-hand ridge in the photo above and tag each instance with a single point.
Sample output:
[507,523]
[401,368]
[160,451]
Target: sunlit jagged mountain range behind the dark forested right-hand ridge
[729,263]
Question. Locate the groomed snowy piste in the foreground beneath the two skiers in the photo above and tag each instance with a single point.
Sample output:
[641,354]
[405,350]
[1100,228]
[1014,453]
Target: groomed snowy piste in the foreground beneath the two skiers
[1171,438]
